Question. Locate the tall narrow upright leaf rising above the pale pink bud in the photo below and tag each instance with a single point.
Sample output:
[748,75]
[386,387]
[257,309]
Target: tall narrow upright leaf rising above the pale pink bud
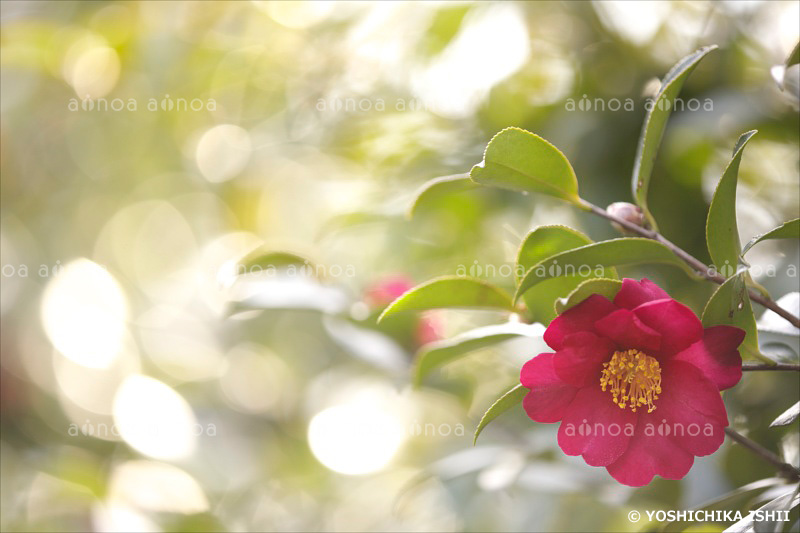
[656,122]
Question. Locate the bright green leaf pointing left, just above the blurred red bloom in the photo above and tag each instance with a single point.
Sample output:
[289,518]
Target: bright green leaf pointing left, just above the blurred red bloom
[451,291]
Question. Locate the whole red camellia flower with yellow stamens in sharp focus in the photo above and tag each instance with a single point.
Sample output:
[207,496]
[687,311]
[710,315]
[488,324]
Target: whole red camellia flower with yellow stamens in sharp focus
[635,383]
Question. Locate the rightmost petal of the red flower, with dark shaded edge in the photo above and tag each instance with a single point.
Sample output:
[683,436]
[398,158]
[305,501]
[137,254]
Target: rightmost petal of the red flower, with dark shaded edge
[716,355]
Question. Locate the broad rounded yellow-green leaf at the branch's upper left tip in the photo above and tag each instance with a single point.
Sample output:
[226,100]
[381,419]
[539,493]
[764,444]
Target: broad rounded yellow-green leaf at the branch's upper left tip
[522,161]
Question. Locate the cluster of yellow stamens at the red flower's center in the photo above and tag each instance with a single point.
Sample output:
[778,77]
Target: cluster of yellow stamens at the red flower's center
[634,379]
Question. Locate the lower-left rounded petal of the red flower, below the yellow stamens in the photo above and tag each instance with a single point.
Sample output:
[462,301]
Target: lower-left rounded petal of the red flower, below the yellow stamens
[596,428]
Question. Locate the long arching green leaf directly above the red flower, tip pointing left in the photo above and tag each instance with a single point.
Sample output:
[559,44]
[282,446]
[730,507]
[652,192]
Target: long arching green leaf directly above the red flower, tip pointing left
[594,257]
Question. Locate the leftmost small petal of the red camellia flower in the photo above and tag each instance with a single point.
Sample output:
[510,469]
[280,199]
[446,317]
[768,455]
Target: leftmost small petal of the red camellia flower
[549,396]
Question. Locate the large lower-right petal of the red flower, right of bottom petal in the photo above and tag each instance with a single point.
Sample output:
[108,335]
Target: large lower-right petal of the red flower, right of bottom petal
[690,411]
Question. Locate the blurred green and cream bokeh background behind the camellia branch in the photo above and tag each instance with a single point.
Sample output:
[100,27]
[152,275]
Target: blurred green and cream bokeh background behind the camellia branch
[148,385]
